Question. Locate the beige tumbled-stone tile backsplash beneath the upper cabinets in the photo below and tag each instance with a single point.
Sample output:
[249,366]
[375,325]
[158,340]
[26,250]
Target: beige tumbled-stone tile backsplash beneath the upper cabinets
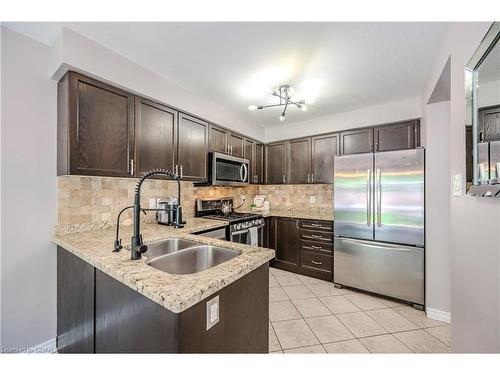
[96,201]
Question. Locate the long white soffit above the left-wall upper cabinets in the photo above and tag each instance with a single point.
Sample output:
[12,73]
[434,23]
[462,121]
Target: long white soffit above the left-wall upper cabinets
[73,51]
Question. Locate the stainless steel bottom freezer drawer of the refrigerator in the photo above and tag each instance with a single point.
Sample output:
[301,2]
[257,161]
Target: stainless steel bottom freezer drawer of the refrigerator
[392,270]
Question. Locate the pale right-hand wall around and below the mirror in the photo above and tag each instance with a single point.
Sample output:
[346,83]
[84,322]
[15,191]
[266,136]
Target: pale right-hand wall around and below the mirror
[475,222]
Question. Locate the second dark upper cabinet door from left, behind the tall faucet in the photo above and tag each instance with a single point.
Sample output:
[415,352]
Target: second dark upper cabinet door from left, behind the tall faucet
[154,136]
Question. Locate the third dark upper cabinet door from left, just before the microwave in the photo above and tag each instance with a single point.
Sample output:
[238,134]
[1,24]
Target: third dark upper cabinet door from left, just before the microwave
[192,147]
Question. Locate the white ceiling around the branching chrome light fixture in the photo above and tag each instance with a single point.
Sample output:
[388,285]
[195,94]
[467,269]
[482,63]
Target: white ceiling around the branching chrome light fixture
[339,66]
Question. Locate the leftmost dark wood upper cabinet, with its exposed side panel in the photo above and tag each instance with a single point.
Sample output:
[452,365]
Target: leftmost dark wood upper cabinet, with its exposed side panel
[95,128]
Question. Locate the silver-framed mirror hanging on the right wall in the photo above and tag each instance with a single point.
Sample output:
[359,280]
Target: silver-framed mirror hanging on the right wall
[482,92]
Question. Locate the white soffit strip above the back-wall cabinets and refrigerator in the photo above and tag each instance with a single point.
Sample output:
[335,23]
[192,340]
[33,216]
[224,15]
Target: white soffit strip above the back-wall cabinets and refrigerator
[379,114]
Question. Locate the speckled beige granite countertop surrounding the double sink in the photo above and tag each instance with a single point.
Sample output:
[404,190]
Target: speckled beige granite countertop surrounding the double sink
[174,292]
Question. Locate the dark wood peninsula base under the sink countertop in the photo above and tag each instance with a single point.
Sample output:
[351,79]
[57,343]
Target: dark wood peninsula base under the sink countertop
[98,314]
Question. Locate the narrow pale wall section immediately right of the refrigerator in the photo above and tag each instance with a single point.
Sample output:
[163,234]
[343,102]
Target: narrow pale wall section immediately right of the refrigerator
[437,202]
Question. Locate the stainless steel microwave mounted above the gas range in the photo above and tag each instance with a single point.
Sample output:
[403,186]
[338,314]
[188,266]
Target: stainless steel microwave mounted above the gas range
[226,170]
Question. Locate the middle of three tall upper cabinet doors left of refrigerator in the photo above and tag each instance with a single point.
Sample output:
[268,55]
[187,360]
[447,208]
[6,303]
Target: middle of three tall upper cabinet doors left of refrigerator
[299,161]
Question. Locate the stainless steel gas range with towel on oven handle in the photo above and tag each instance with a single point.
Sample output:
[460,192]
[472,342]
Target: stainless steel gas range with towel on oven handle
[246,228]
